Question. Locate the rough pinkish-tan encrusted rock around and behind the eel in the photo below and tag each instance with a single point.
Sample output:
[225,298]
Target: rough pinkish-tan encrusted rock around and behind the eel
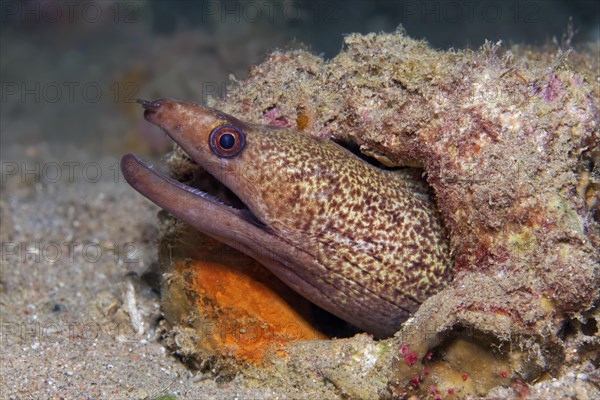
[508,142]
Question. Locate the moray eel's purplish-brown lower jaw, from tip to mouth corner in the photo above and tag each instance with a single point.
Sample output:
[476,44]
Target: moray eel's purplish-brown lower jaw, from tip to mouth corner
[199,209]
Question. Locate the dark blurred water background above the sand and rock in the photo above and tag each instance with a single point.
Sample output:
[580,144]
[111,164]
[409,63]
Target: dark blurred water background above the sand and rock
[70,70]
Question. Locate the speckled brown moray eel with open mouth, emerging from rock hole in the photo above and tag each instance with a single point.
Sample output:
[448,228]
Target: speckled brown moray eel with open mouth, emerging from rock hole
[363,243]
